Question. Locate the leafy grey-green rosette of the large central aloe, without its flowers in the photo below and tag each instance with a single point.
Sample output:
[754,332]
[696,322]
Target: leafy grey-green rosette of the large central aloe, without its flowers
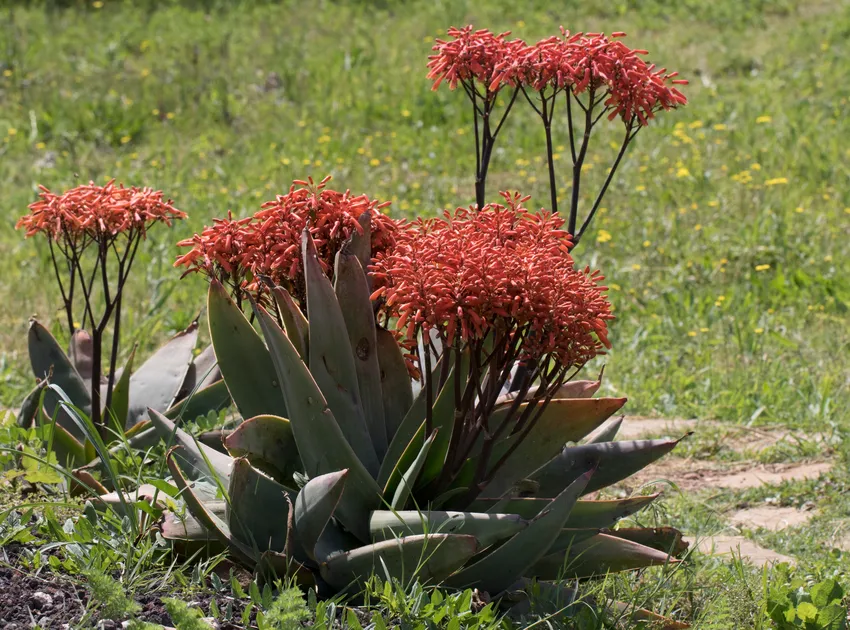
[333,473]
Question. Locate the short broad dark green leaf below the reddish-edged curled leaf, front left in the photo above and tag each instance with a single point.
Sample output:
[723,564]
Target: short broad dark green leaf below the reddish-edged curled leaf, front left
[258,510]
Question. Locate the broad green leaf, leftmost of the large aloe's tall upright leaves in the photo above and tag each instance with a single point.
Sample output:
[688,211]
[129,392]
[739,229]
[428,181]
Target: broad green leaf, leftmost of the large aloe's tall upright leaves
[243,359]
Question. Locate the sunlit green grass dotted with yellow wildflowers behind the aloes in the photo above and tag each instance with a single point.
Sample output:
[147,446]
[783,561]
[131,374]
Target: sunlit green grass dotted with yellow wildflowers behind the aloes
[724,237]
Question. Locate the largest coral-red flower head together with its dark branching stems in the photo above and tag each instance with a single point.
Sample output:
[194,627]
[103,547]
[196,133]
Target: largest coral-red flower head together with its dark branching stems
[493,286]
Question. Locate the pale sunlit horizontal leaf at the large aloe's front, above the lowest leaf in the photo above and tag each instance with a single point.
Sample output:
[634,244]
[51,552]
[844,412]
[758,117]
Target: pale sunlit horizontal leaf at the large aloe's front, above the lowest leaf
[487,528]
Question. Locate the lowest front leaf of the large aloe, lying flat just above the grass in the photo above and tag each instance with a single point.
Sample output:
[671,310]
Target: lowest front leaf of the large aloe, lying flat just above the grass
[430,559]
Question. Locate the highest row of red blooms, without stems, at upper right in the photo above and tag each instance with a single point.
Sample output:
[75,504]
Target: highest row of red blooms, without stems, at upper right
[633,89]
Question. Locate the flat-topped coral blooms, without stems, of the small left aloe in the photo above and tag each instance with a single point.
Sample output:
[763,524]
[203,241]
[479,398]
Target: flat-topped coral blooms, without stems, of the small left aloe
[97,211]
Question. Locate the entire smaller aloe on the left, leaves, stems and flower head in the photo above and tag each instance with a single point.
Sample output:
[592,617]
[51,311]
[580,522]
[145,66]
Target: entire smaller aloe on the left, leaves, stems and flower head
[93,234]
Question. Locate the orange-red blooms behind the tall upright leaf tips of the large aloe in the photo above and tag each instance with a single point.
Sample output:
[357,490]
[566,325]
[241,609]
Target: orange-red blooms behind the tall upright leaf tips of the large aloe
[269,242]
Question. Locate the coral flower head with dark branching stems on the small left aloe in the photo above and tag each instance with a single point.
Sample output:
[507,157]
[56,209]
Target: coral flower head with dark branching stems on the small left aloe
[94,233]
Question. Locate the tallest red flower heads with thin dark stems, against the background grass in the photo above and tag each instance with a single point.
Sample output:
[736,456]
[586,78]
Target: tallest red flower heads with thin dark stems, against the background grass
[599,76]
